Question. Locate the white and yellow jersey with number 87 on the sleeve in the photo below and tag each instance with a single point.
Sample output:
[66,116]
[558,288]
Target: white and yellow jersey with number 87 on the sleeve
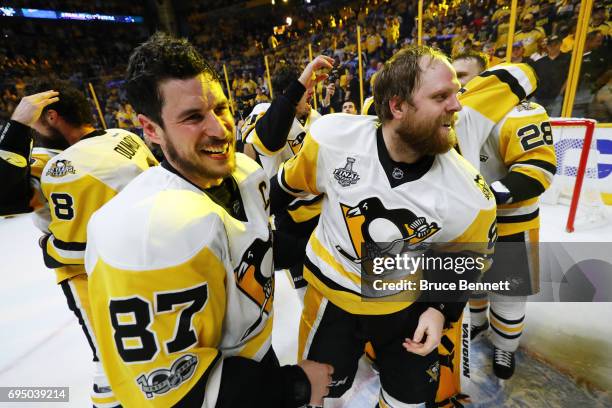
[175,282]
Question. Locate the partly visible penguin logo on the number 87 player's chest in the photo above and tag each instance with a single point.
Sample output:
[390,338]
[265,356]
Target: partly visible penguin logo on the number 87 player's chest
[255,280]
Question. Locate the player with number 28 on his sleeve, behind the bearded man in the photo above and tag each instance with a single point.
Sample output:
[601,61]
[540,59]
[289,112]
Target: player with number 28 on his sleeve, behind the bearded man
[518,160]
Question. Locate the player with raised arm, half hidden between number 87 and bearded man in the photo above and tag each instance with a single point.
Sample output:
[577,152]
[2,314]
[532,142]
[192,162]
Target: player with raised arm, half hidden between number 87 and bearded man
[276,131]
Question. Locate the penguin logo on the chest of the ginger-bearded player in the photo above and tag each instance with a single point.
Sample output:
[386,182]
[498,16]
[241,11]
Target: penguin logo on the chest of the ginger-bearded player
[369,223]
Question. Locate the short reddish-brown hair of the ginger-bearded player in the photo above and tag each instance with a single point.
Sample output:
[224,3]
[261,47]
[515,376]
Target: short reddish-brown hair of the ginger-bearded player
[400,76]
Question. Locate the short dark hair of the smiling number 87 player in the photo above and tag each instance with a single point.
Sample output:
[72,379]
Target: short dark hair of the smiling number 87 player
[161,57]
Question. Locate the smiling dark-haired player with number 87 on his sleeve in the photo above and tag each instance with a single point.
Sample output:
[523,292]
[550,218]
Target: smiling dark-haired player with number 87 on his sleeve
[180,263]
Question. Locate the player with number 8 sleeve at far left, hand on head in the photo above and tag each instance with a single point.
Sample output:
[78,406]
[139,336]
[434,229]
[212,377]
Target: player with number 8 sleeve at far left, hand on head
[67,186]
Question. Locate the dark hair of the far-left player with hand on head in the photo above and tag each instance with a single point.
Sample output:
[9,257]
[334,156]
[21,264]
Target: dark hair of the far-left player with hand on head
[73,106]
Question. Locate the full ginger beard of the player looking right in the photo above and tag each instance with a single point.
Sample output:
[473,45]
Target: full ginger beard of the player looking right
[427,137]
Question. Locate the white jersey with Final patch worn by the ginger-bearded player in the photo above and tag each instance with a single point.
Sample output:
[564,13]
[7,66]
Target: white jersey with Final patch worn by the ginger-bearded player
[369,198]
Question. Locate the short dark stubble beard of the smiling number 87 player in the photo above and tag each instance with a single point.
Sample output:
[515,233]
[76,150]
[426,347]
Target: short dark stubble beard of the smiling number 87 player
[192,165]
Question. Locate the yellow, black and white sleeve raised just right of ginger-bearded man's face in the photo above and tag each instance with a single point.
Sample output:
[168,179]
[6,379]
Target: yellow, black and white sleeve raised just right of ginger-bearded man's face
[507,85]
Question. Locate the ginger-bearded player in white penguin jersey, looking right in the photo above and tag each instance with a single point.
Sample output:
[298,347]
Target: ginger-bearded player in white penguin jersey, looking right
[392,174]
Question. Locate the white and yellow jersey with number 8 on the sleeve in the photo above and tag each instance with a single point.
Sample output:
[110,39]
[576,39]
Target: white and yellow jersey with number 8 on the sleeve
[80,180]
